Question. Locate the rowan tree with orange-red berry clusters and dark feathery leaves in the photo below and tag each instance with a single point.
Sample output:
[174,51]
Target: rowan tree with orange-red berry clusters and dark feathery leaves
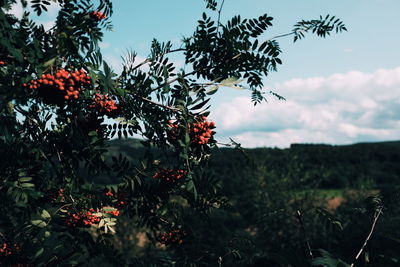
[60,103]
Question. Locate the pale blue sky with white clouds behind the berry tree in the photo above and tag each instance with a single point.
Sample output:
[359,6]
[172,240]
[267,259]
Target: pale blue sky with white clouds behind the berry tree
[340,90]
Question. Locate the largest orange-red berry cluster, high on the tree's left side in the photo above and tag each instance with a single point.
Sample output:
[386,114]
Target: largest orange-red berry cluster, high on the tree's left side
[63,84]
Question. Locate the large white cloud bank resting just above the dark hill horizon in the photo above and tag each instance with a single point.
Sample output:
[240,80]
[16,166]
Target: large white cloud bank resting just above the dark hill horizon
[342,108]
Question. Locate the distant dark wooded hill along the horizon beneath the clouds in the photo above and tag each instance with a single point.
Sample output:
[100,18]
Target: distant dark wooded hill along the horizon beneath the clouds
[362,165]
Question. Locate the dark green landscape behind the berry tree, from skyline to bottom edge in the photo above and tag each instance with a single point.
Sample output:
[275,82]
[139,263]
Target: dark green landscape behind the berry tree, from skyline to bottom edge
[336,189]
